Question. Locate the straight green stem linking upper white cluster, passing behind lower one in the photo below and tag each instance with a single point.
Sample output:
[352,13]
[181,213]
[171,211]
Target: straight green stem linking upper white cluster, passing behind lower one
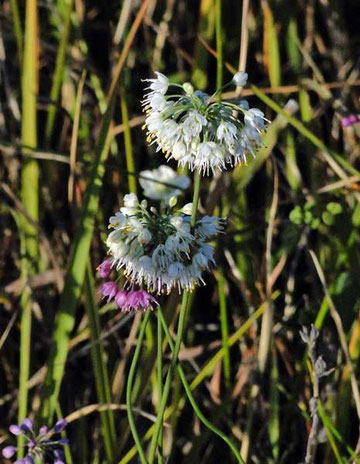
[179,336]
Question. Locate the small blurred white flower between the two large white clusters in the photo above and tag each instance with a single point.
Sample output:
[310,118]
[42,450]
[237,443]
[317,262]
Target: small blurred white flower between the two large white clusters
[163,183]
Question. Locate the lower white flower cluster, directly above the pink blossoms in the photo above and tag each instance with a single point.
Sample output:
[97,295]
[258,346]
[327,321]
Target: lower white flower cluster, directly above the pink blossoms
[160,252]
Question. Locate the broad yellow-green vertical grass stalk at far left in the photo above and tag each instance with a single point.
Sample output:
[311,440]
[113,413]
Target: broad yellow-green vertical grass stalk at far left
[29,196]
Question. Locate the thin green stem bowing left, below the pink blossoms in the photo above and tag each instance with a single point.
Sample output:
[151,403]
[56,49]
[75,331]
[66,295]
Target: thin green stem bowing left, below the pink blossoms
[129,388]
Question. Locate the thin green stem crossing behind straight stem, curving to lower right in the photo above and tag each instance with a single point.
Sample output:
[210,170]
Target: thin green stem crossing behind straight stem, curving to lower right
[191,397]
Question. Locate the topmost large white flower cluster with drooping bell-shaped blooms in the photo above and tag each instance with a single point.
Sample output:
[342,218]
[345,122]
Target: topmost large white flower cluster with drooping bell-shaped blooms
[198,131]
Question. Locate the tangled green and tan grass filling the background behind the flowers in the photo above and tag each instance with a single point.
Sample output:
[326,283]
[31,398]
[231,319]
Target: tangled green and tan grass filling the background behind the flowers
[72,145]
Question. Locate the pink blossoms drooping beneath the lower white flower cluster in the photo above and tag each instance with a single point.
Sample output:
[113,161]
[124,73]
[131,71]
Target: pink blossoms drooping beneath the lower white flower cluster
[125,300]
